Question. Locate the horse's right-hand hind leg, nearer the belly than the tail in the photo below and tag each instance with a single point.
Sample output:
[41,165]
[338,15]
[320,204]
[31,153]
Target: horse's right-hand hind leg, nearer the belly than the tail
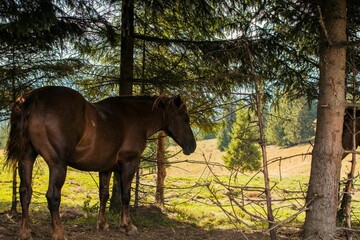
[53,195]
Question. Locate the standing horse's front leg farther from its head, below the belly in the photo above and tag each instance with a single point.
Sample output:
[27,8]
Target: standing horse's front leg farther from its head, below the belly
[104,179]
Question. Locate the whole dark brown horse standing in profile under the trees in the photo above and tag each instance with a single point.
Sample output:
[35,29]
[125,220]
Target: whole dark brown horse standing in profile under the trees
[66,130]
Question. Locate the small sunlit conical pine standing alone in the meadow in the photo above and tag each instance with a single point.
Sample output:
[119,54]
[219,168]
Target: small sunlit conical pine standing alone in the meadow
[243,152]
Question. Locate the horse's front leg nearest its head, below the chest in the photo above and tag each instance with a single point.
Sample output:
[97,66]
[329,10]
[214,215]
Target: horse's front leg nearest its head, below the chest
[127,172]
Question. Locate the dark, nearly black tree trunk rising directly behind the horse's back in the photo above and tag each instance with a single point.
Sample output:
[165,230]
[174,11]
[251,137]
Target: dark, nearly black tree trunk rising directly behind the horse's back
[126,78]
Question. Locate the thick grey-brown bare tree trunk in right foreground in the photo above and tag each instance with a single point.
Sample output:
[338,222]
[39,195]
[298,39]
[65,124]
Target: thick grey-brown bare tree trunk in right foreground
[322,195]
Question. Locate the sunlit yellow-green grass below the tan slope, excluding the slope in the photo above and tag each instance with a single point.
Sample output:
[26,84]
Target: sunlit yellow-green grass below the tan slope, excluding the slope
[191,199]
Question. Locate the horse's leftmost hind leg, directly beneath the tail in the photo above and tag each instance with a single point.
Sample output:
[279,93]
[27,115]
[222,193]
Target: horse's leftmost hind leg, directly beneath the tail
[25,167]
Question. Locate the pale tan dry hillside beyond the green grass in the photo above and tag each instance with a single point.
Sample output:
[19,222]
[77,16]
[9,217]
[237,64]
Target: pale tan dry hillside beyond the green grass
[206,151]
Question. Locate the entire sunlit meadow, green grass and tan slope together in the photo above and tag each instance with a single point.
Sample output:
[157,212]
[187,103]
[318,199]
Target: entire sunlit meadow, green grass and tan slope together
[199,189]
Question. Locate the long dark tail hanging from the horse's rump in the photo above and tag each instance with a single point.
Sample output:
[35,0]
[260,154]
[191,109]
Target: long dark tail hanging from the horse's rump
[19,135]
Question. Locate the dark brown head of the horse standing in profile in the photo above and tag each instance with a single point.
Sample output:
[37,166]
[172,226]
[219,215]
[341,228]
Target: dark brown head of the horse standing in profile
[177,125]
